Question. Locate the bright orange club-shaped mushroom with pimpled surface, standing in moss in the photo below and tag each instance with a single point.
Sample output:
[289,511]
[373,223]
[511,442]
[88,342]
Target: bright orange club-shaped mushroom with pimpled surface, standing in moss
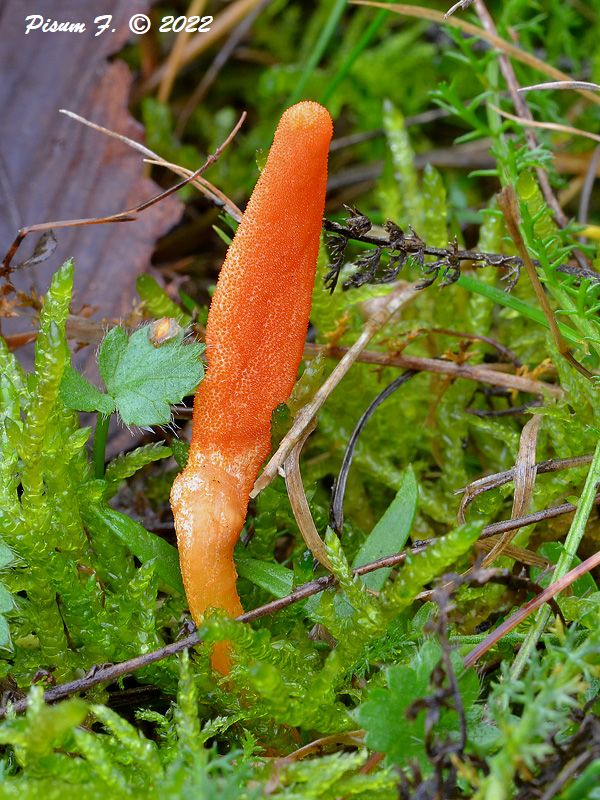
[255,337]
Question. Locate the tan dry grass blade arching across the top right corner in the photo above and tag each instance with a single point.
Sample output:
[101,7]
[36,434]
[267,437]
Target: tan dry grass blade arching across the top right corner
[496,41]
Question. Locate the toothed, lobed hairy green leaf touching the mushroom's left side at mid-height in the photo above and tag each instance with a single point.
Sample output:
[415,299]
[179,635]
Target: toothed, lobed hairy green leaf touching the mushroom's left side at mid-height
[145,380]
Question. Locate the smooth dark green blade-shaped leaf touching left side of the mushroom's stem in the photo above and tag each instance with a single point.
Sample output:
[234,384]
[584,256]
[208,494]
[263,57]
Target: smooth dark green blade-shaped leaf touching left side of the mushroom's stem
[143,544]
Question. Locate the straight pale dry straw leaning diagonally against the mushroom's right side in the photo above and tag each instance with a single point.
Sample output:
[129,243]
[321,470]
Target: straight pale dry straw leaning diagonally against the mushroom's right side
[390,305]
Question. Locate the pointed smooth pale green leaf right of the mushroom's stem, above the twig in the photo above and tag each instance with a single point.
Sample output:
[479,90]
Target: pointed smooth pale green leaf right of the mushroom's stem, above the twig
[391,532]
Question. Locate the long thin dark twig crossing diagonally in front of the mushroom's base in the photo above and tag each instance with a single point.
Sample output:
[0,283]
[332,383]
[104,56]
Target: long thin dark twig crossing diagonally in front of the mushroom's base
[111,672]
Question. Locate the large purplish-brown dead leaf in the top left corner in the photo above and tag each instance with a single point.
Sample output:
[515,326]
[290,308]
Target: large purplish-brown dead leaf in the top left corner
[54,169]
